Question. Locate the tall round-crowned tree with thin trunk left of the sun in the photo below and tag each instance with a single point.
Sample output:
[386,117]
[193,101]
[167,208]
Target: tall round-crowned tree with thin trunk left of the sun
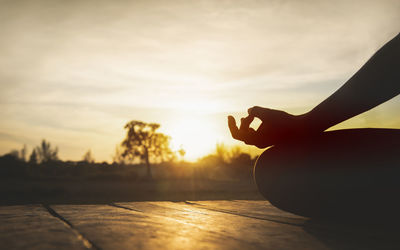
[144,143]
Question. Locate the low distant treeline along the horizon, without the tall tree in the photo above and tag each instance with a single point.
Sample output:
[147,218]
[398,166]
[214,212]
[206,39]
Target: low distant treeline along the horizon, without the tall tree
[44,164]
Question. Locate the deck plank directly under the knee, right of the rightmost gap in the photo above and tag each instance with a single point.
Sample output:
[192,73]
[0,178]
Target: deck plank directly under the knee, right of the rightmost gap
[351,235]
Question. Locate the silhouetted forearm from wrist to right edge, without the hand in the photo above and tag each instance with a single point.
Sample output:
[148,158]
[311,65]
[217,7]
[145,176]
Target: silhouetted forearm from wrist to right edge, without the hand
[376,82]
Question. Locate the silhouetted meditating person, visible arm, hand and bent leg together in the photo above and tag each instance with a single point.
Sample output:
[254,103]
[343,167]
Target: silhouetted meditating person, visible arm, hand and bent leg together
[351,172]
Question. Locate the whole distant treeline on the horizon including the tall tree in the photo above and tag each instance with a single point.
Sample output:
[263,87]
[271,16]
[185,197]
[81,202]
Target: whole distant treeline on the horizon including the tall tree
[144,153]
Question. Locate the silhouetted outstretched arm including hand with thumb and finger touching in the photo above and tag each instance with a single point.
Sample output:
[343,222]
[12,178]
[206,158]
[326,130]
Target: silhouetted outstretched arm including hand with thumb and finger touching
[376,82]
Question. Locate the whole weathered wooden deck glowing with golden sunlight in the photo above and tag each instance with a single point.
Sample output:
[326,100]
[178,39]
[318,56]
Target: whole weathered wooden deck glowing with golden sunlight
[178,225]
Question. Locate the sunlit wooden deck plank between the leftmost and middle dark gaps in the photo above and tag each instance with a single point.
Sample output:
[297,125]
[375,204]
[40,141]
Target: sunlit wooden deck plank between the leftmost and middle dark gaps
[112,227]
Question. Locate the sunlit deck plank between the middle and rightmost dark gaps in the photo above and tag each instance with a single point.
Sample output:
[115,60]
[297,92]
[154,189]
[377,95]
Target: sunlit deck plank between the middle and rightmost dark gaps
[254,233]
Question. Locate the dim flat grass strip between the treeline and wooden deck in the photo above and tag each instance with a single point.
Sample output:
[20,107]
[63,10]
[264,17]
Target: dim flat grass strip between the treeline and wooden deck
[101,191]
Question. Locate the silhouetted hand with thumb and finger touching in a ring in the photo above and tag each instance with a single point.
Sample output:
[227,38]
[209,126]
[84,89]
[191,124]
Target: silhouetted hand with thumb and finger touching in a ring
[276,127]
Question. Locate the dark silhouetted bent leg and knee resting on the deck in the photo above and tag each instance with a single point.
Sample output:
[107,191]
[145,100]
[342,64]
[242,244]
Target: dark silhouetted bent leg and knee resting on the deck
[352,173]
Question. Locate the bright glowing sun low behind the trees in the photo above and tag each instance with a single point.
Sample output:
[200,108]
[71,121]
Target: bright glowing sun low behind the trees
[196,135]
